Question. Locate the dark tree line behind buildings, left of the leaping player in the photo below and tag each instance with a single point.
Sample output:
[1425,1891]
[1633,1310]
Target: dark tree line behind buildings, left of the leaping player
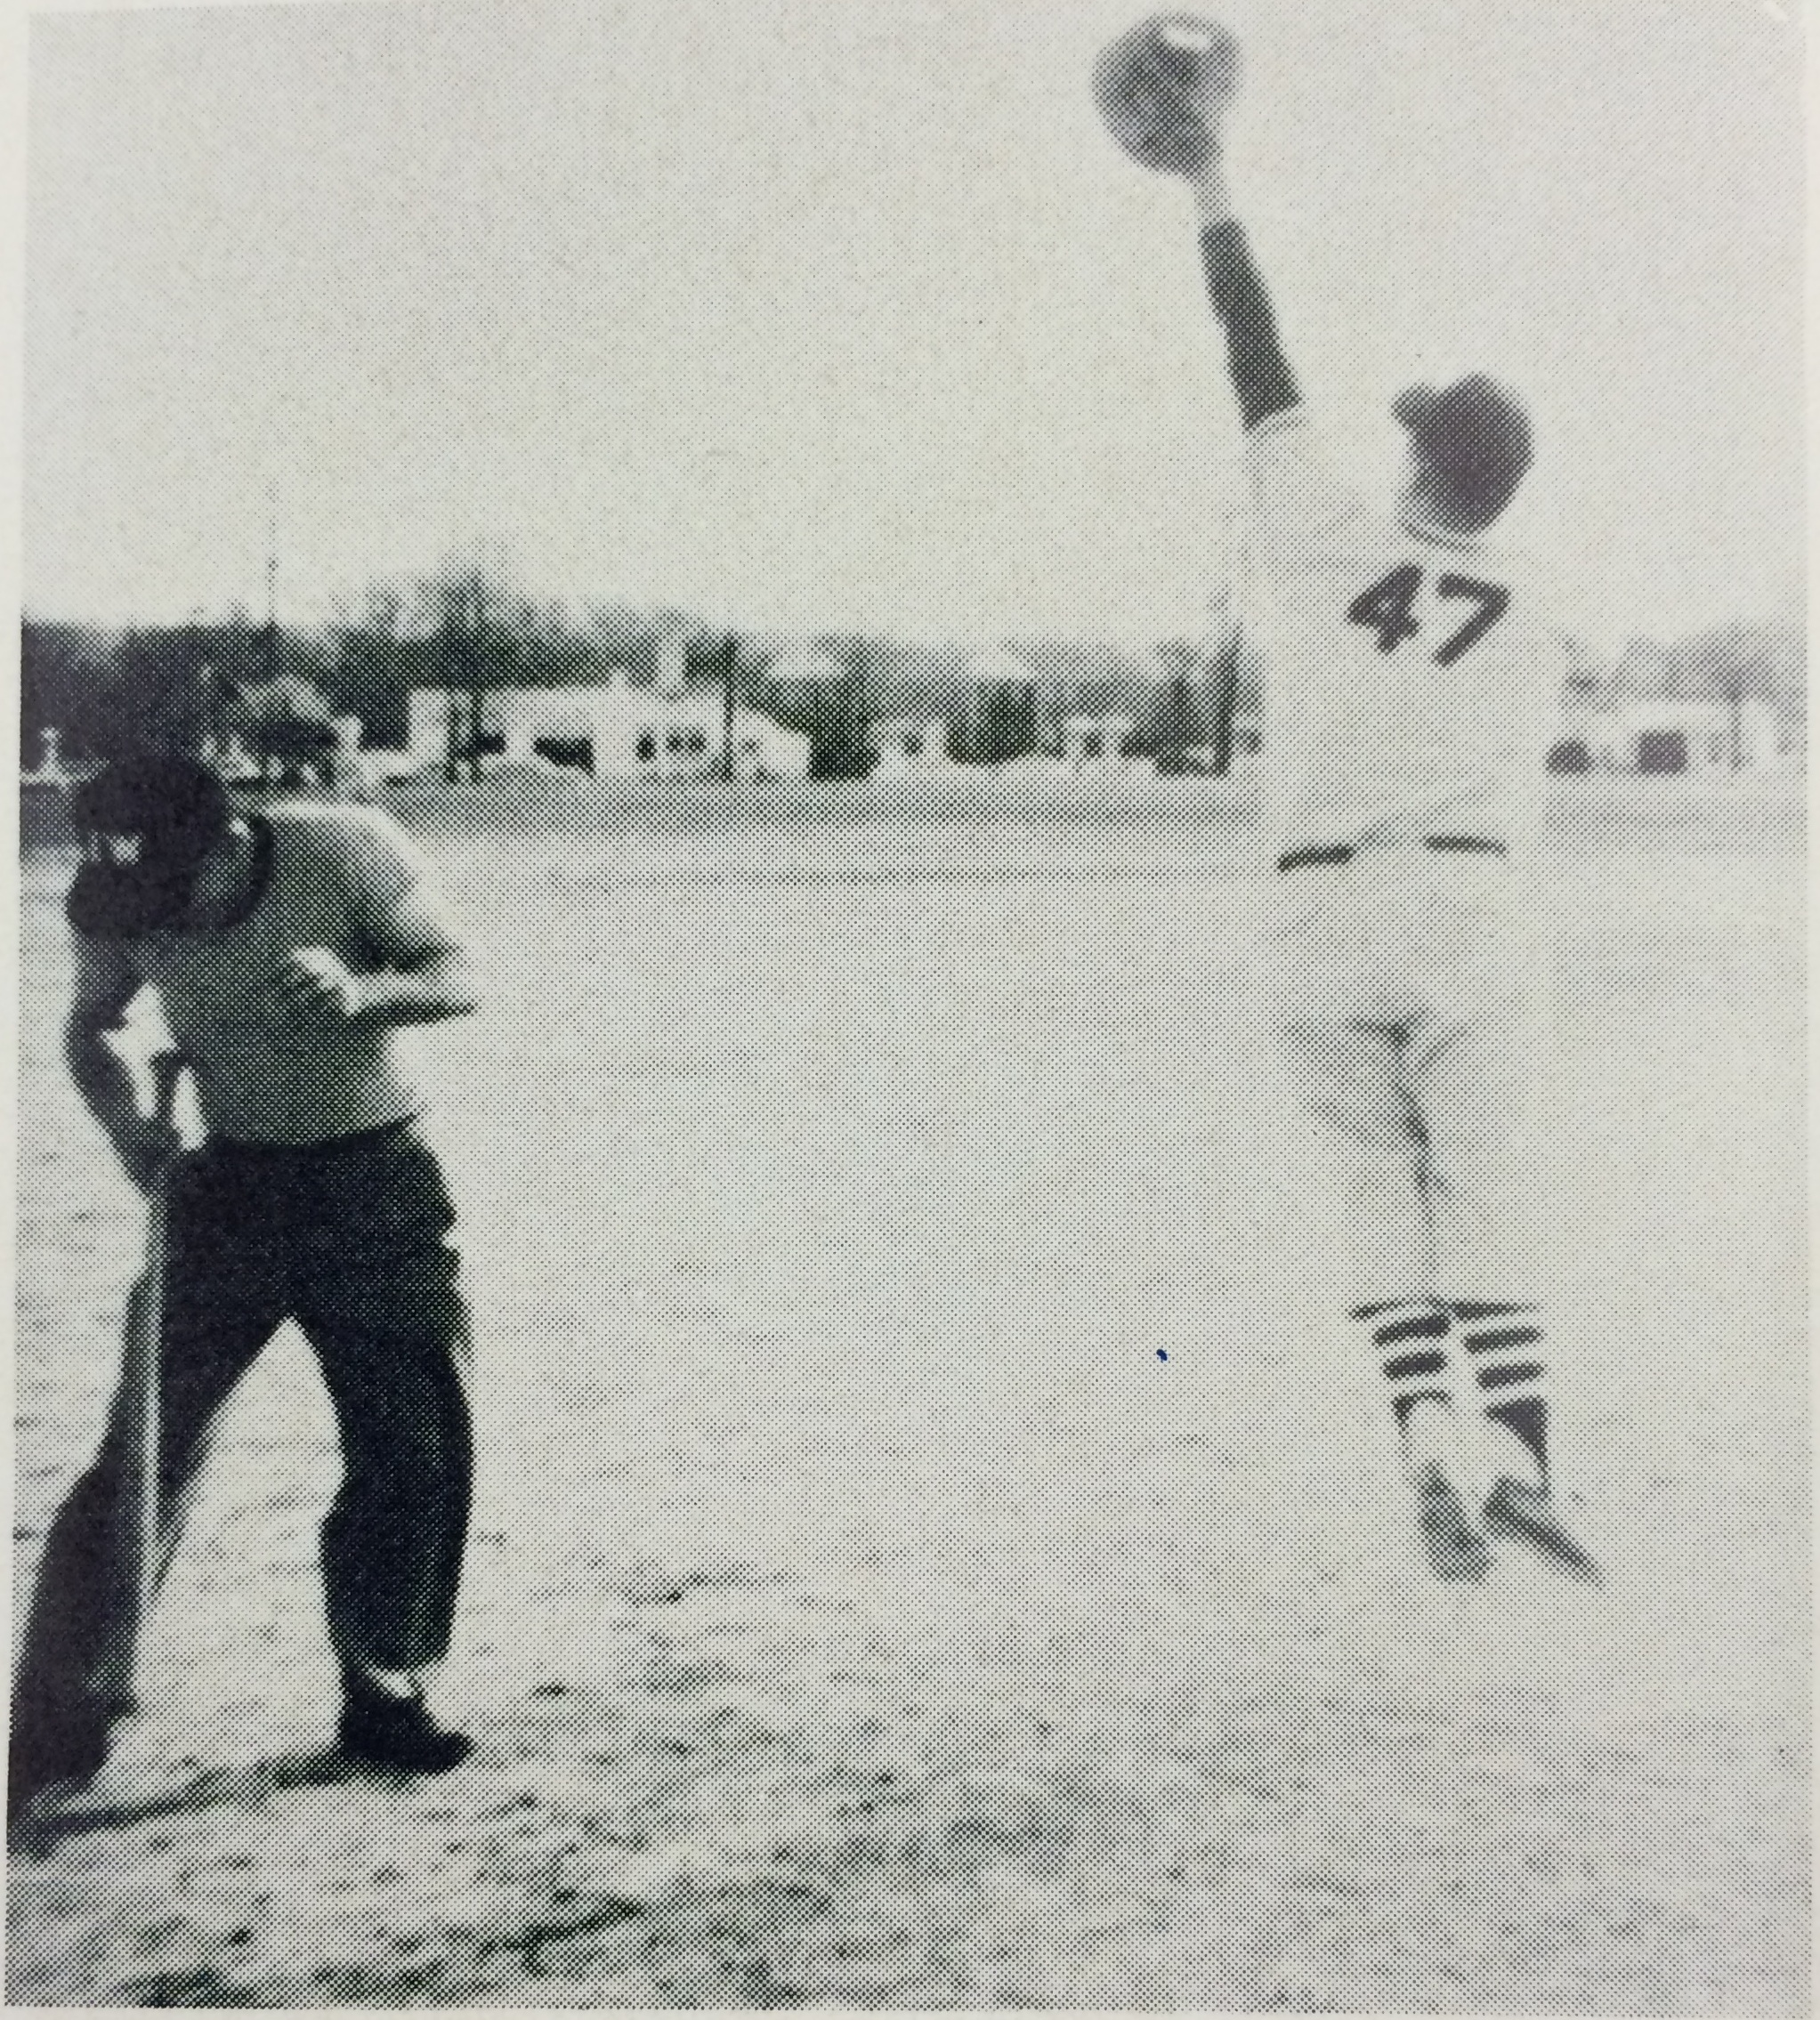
[278,688]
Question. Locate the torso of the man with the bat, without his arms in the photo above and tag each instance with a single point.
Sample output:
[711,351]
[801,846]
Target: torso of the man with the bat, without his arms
[264,1078]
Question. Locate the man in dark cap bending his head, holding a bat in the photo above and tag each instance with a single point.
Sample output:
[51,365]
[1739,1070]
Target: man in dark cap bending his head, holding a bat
[284,948]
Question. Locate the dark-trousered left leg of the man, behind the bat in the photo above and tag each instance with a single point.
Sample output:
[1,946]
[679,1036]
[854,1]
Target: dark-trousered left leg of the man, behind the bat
[221,1306]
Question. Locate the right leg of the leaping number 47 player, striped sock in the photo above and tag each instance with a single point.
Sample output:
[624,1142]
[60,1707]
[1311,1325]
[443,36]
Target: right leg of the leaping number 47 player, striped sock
[1478,1092]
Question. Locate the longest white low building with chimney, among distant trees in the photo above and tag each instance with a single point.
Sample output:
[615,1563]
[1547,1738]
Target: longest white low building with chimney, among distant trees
[615,730]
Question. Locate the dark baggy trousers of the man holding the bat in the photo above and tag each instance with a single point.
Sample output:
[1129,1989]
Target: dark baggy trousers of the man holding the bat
[352,1241]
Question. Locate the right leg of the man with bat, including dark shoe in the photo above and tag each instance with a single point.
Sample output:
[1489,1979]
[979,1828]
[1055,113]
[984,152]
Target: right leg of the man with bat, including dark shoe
[387,1316]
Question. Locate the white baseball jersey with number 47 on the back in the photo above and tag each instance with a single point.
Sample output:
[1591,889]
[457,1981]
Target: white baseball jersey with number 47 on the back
[1409,682]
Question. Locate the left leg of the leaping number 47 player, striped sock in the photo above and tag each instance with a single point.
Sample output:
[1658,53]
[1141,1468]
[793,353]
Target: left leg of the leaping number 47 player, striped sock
[1350,1074]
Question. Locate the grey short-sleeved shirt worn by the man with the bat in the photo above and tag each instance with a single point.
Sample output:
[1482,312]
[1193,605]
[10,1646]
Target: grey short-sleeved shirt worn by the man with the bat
[346,880]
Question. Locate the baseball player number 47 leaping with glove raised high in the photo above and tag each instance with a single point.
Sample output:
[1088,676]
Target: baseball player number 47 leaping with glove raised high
[1411,688]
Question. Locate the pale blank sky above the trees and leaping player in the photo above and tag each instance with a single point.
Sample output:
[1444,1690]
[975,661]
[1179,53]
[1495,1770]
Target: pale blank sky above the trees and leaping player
[825,314]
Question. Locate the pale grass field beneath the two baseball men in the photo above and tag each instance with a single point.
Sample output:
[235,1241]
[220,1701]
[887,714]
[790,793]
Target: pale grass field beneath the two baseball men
[862,1613]
